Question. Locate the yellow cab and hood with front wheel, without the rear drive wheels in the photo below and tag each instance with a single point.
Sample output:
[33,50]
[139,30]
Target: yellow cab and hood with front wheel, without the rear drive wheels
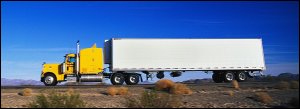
[85,65]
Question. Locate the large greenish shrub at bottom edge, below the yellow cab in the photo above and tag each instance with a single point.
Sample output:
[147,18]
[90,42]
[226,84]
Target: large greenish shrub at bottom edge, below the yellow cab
[57,100]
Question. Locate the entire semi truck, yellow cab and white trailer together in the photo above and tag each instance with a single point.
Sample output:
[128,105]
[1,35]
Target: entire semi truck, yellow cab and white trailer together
[228,59]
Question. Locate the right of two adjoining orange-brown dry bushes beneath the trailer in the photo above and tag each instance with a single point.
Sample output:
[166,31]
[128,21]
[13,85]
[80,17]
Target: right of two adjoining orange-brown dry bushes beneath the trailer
[179,88]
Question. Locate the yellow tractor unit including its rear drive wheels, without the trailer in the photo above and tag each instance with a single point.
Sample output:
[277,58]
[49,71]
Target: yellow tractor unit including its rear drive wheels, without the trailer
[87,65]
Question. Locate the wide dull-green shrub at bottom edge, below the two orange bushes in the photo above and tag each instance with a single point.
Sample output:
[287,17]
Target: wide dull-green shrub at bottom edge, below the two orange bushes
[154,99]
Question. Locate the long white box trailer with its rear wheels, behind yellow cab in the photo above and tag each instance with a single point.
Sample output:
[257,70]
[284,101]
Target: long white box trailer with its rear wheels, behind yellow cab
[228,59]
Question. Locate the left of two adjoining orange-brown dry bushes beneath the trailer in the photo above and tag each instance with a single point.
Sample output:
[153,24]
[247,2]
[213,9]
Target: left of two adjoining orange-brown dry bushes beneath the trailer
[164,84]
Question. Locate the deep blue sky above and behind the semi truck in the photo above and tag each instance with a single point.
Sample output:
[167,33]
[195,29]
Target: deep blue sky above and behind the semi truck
[36,32]
